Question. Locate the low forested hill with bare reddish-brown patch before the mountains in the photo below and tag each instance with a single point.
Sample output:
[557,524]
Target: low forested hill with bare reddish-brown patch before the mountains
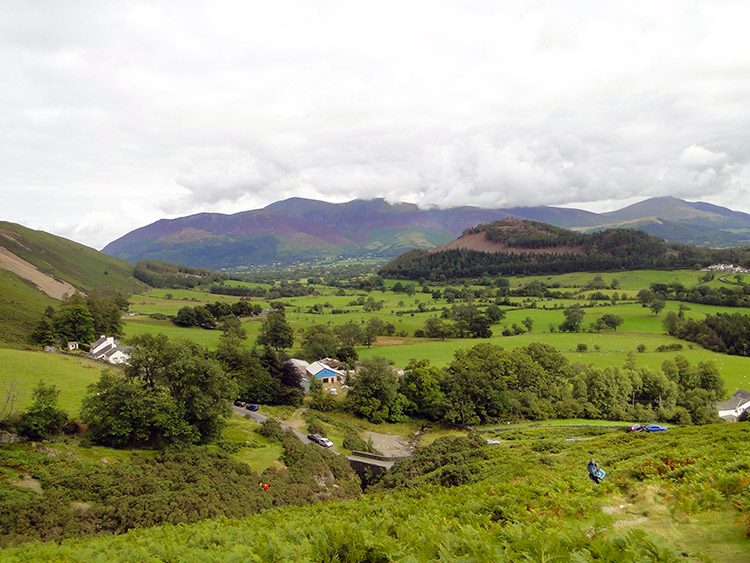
[515,247]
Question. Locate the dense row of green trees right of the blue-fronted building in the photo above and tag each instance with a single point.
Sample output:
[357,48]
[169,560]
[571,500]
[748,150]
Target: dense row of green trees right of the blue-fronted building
[487,384]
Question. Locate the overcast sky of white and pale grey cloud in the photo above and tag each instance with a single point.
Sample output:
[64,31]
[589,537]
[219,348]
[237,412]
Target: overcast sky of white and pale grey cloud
[116,114]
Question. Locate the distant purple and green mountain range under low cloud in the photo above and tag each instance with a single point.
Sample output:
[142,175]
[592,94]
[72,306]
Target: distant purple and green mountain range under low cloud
[301,230]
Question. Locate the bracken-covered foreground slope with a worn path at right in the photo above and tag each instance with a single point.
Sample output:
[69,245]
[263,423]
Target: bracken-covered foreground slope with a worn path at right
[667,498]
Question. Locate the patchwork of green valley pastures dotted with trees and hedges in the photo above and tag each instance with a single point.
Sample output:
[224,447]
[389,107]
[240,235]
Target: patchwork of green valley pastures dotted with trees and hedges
[606,348]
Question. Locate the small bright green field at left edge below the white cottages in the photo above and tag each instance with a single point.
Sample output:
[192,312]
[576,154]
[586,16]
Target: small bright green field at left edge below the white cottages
[71,375]
